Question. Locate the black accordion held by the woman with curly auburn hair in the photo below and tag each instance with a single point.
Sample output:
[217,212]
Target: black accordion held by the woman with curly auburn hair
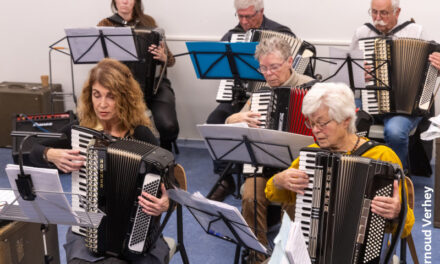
[114,175]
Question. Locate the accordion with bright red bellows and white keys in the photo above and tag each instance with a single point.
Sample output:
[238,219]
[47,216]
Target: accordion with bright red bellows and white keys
[280,108]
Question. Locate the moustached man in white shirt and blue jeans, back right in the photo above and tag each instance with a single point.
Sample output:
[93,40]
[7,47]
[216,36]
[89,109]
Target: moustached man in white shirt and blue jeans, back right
[385,14]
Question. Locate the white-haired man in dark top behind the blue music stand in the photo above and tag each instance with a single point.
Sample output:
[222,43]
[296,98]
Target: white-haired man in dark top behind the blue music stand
[250,14]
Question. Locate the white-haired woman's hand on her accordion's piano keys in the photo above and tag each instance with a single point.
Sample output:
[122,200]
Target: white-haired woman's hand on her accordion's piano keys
[291,179]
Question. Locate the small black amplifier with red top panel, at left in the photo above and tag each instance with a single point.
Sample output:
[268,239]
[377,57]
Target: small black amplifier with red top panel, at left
[36,123]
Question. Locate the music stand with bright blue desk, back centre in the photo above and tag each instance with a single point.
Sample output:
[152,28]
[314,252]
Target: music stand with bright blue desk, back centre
[223,60]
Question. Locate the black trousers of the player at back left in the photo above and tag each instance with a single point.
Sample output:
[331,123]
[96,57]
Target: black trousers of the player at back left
[163,108]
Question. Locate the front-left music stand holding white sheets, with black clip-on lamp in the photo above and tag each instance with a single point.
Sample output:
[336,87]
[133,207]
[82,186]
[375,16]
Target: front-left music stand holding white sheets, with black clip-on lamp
[37,196]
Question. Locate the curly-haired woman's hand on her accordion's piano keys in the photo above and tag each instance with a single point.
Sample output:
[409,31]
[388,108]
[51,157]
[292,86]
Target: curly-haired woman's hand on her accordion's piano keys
[67,160]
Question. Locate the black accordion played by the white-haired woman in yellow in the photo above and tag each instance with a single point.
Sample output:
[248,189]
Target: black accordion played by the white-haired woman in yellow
[334,212]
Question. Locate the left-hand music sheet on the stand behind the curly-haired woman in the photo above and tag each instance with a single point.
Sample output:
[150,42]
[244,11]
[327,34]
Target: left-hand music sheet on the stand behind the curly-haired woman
[81,40]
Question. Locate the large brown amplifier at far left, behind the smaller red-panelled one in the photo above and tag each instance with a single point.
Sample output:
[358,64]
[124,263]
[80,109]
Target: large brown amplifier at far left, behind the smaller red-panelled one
[27,98]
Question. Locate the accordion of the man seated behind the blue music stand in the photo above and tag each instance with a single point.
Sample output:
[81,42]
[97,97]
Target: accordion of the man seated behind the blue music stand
[301,51]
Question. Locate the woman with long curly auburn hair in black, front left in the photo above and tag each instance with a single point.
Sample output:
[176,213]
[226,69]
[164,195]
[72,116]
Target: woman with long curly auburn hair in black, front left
[111,101]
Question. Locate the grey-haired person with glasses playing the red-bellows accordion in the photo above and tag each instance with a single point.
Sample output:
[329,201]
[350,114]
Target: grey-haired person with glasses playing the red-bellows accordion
[275,61]
